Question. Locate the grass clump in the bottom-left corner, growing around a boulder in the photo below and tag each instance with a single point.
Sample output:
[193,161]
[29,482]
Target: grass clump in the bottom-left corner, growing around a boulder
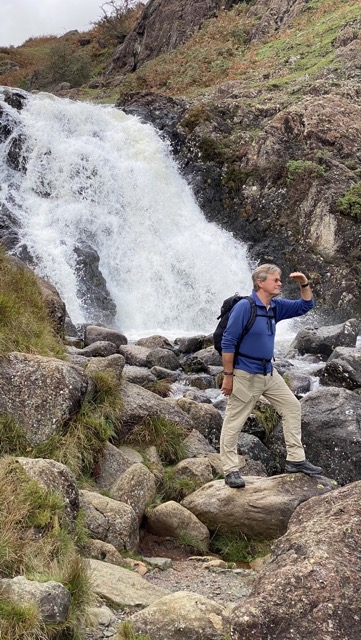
[37,542]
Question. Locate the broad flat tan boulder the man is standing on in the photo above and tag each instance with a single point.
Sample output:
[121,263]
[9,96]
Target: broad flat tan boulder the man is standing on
[259,511]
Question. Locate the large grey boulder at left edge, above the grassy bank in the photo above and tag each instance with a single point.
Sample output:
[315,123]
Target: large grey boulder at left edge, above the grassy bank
[41,394]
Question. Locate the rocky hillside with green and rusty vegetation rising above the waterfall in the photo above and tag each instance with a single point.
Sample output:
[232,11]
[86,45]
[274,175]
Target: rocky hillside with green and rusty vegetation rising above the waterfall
[261,103]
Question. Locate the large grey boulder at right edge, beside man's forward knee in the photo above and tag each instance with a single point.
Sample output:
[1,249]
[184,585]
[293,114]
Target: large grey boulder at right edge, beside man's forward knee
[331,432]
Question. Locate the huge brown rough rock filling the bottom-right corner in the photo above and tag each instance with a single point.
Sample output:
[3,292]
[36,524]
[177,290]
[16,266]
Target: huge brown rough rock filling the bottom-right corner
[298,594]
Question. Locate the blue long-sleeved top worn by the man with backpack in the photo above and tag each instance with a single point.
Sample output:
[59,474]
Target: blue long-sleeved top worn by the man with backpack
[259,341]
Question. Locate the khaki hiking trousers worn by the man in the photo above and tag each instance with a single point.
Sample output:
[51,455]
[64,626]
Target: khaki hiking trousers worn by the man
[247,389]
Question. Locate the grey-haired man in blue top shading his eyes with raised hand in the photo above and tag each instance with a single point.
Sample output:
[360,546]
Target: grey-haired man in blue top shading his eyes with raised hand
[249,373]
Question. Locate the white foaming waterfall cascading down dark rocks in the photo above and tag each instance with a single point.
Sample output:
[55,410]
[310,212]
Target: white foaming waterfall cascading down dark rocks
[97,175]
